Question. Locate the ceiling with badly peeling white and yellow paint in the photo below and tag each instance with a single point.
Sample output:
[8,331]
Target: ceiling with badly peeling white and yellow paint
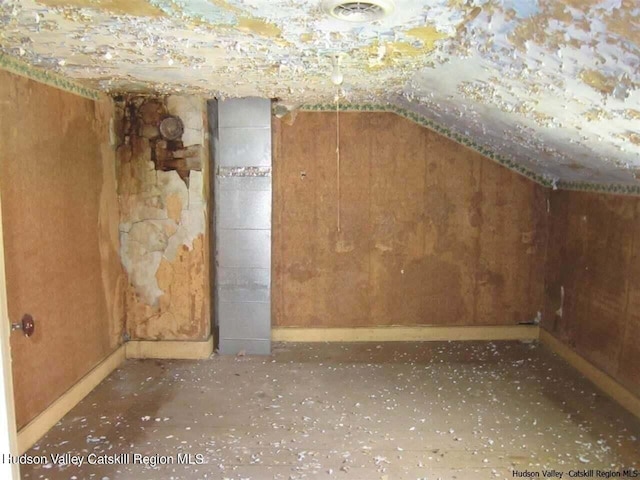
[552,85]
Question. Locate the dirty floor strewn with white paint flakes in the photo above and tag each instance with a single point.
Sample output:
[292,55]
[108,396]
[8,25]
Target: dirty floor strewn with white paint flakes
[393,411]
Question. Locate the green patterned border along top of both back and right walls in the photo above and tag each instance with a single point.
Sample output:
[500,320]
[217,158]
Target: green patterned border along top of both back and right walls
[511,164]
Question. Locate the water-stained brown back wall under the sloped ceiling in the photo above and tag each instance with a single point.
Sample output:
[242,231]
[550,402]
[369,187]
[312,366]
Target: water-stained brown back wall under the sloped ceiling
[432,233]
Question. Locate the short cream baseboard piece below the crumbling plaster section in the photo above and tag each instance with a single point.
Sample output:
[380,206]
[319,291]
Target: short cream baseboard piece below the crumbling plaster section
[179,350]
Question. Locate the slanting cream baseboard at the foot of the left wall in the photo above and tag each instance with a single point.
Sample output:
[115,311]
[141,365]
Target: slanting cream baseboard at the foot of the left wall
[36,428]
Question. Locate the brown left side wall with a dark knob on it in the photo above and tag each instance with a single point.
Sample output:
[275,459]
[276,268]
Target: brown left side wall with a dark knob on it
[60,220]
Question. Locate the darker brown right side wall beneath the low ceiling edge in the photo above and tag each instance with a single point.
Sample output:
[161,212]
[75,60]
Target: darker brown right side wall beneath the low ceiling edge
[593,257]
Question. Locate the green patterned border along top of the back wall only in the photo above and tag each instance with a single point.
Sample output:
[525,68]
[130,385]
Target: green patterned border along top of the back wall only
[430,124]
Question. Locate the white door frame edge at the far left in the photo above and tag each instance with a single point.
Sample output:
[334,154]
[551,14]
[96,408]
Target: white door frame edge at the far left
[8,427]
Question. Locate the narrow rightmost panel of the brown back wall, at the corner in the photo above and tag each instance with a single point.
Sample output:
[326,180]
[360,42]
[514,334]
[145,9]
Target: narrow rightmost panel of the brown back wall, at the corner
[512,233]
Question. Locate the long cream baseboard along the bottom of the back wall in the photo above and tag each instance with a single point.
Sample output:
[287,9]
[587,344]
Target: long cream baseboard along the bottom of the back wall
[404,334]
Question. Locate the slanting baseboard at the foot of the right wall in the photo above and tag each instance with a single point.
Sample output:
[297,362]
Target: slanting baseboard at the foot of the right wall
[603,381]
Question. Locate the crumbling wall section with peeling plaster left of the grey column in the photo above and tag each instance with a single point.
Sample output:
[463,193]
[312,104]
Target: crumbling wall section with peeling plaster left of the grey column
[163,234]
